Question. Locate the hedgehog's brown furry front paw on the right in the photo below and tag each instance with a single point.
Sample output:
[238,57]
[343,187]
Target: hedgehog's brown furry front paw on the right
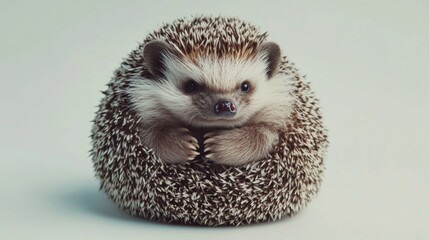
[237,146]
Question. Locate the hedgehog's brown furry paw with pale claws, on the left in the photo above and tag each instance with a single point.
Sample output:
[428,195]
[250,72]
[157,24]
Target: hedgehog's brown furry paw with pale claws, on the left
[177,146]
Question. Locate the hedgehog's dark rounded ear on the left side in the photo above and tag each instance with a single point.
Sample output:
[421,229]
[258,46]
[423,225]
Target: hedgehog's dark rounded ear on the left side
[154,54]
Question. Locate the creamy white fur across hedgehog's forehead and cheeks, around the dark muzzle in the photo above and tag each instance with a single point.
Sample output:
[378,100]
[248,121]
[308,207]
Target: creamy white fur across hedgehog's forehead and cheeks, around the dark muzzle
[270,97]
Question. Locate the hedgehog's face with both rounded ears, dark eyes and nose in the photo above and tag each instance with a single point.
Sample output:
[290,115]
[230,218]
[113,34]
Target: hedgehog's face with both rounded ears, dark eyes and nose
[212,92]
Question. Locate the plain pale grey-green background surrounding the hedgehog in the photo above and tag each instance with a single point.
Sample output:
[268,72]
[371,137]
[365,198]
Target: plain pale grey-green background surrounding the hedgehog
[368,63]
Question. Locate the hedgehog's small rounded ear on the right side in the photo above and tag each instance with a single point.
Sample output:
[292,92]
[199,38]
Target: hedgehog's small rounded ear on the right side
[272,55]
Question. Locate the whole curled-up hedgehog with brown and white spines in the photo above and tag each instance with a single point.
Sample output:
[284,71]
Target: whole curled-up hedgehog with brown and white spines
[207,123]
